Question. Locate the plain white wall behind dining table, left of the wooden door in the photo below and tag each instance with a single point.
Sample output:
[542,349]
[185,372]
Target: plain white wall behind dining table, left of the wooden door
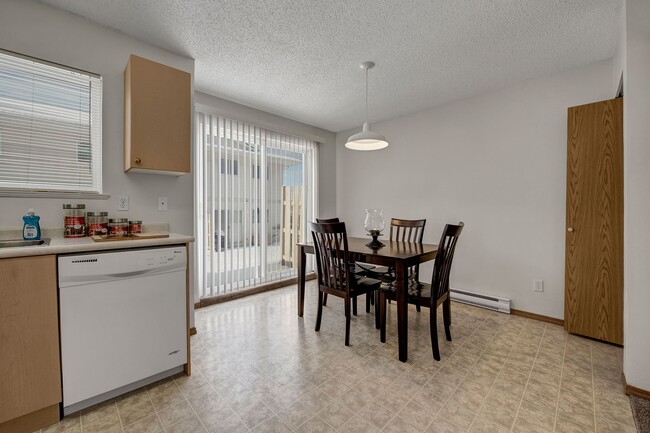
[495,161]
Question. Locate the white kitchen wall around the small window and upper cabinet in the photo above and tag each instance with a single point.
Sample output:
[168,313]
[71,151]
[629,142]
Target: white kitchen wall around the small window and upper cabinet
[41,31]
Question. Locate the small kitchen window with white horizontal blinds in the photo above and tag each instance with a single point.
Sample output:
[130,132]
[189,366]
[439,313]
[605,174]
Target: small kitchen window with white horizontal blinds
[50,126]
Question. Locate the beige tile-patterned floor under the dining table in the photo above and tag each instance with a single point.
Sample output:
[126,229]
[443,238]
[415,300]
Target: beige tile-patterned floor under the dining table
[258,367]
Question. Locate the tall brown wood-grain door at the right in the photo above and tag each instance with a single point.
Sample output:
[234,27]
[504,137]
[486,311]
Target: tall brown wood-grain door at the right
[593,298]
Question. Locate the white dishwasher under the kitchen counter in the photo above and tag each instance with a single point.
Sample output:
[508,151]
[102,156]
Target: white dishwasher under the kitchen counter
[123,321]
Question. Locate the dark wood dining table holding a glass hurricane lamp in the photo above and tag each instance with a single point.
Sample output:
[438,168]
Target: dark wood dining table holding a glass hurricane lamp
[400,255]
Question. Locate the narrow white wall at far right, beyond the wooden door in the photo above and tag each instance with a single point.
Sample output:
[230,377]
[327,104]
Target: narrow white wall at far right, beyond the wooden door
[637,201]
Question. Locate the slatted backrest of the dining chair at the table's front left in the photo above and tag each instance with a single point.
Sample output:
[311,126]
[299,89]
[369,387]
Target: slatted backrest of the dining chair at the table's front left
[332,257]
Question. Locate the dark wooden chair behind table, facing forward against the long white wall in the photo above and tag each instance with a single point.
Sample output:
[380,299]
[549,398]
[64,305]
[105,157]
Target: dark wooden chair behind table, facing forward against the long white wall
[401,230]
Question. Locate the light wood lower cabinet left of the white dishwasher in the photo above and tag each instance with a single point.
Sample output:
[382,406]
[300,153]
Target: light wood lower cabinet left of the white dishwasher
[30,370]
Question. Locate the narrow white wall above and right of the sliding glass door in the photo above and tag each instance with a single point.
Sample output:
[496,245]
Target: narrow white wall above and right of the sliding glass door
[326,139]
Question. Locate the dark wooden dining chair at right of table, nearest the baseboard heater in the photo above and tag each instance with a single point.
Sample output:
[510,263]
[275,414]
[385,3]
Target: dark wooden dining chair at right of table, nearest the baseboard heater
[429,295]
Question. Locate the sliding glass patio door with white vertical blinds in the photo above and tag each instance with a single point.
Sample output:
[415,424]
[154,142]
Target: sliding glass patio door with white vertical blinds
[256,189]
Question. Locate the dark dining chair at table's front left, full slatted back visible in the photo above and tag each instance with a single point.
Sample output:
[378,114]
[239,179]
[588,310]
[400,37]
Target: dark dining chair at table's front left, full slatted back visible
[334,275]
